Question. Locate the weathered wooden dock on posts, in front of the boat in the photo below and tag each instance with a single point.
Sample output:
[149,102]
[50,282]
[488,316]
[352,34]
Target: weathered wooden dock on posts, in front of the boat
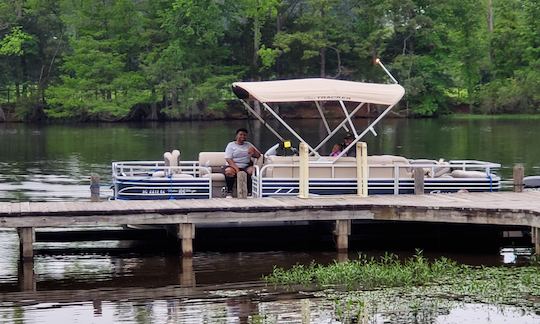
[501,208]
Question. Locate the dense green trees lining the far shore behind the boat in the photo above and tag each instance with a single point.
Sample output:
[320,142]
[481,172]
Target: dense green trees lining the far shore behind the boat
[106,59]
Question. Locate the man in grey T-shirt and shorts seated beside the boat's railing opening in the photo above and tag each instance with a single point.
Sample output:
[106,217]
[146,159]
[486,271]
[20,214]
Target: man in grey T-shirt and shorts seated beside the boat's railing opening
[238,155]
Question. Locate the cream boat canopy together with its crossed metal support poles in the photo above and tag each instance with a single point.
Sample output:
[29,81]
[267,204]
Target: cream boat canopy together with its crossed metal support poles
[320,90]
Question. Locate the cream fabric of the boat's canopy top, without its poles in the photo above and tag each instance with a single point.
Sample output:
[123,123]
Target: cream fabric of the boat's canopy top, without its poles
[319,89]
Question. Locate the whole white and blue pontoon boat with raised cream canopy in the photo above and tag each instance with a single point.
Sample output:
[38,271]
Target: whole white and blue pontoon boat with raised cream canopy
[279,175]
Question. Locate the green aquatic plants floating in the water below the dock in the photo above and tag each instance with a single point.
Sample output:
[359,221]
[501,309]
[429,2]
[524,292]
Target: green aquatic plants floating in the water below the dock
[415,289]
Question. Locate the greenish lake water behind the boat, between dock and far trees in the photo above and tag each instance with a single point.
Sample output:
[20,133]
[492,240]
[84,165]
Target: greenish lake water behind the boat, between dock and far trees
[50,162]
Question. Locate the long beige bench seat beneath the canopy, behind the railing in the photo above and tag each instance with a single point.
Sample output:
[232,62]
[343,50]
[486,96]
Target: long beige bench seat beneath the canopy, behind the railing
[381,166]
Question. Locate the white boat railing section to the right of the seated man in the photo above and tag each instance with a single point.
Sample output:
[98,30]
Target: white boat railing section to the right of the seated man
[398,177]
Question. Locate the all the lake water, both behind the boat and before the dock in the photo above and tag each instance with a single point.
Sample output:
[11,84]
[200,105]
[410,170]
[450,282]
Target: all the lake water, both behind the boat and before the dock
[123,281]
